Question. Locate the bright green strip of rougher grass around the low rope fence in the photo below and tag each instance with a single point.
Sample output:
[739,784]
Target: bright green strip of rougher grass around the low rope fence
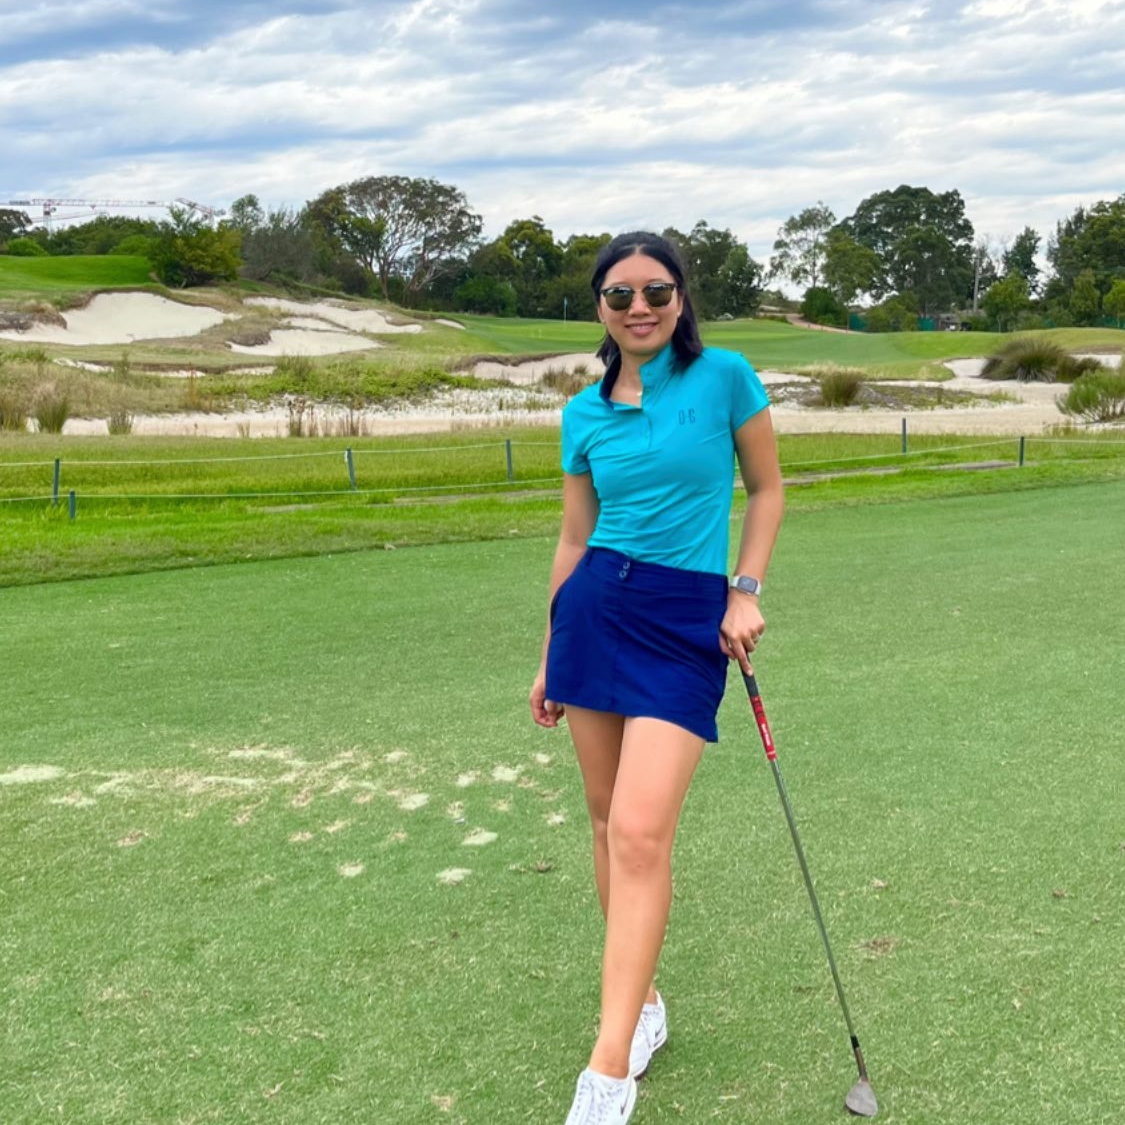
[158,503]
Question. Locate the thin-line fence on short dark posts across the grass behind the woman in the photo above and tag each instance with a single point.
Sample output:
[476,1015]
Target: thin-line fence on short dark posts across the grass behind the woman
[506,479]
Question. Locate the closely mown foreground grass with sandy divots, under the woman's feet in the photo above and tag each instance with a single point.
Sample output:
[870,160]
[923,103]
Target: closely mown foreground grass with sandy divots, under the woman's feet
[247,923]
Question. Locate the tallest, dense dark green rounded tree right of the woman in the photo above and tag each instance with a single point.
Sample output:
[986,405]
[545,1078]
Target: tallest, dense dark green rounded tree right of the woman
[906,228]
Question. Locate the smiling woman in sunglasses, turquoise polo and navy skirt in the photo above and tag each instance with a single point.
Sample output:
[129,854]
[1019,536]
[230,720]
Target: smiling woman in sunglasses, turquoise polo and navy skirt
[643,619]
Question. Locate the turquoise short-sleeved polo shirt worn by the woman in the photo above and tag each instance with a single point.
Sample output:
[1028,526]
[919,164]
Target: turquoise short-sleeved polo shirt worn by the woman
[664,471]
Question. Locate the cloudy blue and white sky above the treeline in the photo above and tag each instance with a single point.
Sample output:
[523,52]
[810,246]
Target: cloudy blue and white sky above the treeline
[598,116]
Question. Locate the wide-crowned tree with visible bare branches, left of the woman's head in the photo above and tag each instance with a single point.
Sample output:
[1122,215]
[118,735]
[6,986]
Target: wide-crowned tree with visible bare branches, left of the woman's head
[398,227]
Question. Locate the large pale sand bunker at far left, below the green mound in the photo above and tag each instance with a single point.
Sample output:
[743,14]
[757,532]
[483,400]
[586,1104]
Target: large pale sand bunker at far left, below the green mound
[123,318]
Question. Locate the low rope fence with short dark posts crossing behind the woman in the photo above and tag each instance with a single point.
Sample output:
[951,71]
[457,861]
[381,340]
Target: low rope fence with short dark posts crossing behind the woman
[353,490]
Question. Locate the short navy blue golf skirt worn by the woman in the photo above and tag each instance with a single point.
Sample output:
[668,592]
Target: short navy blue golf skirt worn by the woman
[640,640]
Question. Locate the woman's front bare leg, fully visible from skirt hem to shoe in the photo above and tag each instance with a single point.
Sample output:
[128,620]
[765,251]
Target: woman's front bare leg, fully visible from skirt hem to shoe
[656,766]
